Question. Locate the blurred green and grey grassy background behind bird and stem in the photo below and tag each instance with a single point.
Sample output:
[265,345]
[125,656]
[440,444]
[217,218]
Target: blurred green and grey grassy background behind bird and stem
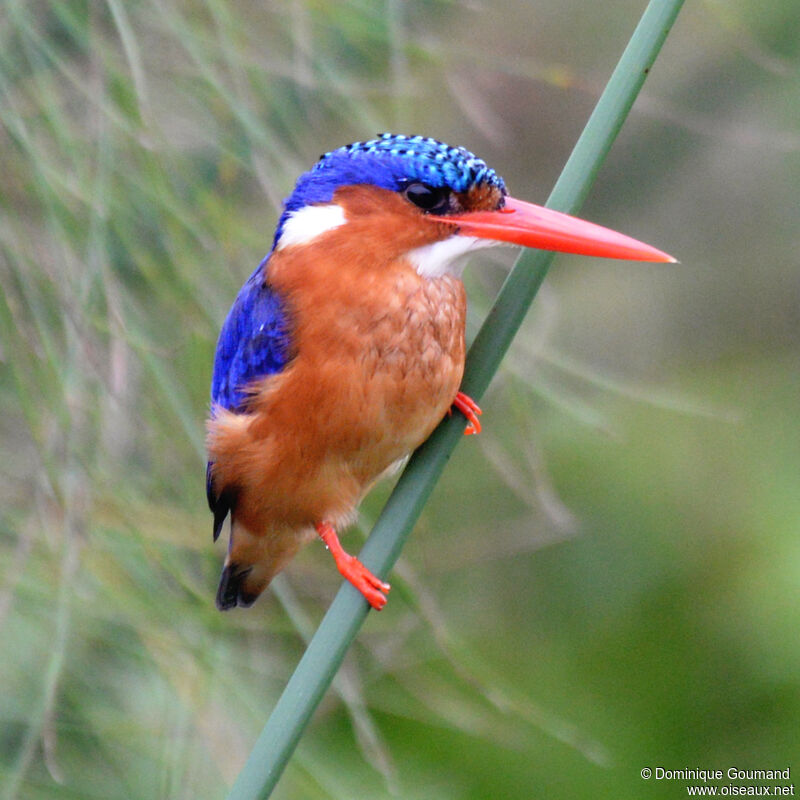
[605,580]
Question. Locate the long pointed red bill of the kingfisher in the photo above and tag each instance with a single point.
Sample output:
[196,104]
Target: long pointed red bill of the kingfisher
[530,225]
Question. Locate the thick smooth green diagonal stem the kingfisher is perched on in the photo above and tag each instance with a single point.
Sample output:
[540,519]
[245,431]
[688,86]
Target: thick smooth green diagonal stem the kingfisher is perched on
[327,649]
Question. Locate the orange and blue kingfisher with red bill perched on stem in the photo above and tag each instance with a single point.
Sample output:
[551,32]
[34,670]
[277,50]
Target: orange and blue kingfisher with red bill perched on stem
[345,348]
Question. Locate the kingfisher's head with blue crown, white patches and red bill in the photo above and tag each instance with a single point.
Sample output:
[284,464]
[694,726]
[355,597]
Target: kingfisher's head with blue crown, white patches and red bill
[421,199]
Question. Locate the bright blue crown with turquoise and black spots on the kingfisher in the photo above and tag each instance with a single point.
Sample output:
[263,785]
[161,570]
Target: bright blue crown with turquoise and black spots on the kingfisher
[391,161]
